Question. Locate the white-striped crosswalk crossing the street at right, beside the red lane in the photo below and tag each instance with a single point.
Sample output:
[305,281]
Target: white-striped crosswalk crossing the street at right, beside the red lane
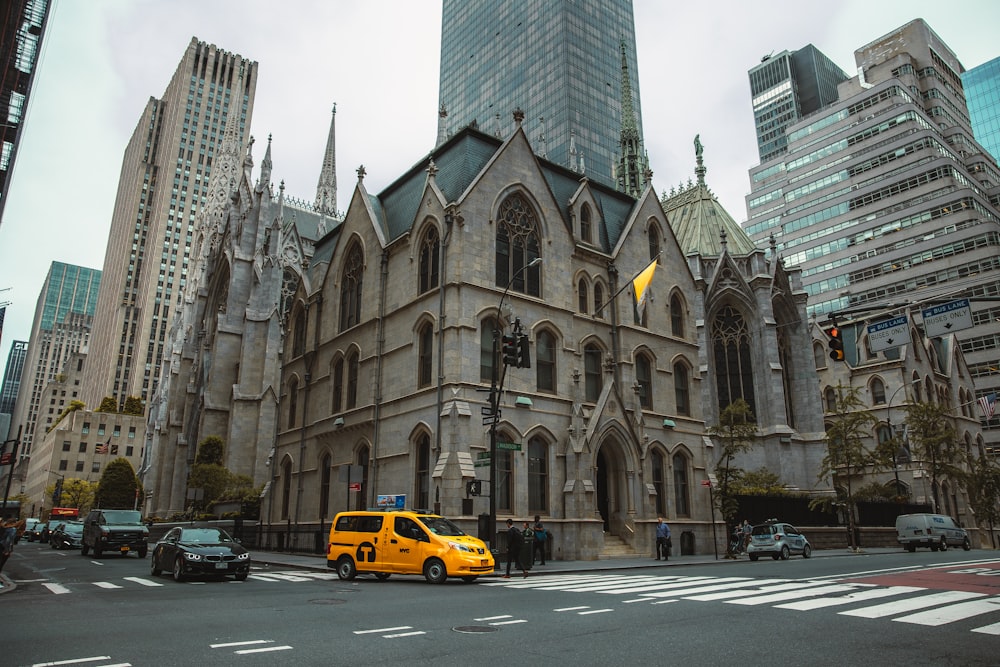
[904,604]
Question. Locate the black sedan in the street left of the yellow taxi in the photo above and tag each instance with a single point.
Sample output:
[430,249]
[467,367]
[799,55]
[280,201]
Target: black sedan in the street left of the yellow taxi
[200,552]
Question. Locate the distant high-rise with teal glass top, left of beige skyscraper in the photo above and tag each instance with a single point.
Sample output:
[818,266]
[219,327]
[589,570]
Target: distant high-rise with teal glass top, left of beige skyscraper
[61,327]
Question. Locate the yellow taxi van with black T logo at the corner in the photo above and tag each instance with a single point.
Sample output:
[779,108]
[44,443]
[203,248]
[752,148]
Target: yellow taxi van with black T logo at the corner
[404,542]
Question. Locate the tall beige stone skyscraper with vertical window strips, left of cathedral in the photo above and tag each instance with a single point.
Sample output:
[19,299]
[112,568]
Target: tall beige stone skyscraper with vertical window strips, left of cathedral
[162,187]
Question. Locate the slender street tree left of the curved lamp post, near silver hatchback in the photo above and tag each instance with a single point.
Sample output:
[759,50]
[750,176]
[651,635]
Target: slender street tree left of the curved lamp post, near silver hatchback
[848,451]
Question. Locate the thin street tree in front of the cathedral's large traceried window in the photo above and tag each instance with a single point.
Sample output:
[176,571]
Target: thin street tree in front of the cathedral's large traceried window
[736,432]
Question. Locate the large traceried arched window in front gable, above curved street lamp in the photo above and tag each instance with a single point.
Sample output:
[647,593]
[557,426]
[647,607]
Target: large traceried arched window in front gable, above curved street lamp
[517,246]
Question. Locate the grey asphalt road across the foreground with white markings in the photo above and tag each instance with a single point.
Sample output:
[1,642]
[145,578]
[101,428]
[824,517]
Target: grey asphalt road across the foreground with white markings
[915,609]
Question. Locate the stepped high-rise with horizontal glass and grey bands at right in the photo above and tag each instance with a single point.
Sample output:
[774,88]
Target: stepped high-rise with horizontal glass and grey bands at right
[888,203]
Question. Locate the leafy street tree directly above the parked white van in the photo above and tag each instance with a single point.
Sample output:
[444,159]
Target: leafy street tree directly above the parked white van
[933,442]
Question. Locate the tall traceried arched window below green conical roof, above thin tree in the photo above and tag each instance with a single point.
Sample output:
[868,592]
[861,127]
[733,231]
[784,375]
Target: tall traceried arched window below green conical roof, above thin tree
[733,365]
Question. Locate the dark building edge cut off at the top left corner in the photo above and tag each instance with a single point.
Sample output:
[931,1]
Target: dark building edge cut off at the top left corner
[23,27]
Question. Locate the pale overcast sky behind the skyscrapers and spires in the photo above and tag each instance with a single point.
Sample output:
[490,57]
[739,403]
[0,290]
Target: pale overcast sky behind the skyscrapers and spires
[378,61]
